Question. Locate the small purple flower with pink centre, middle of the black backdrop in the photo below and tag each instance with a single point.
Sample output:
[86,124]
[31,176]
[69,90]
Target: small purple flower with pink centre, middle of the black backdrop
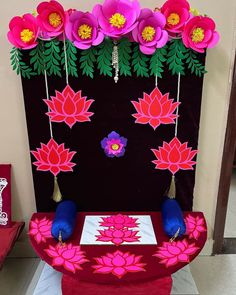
[114,145]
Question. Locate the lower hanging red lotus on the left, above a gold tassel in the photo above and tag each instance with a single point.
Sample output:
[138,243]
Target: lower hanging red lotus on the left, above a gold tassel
[53,157]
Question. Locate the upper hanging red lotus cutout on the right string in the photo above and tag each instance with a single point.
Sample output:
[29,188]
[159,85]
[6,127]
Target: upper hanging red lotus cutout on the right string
[155,109]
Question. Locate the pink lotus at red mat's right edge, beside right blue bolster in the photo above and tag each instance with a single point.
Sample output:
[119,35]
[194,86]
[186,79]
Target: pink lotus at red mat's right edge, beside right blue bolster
[194,226]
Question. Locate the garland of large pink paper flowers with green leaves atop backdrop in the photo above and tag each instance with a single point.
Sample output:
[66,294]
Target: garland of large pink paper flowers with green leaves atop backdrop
[146,39]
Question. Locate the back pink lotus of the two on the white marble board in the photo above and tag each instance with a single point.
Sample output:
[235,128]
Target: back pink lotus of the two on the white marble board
[119,221]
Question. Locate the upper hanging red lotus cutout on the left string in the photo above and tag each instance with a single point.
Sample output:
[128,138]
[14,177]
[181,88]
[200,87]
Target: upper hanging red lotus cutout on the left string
[69,107]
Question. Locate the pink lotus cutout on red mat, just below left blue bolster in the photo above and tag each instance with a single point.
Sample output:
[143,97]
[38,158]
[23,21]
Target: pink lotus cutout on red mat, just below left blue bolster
[68,256]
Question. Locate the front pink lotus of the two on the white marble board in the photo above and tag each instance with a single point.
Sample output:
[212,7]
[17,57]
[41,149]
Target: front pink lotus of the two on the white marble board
[118,236]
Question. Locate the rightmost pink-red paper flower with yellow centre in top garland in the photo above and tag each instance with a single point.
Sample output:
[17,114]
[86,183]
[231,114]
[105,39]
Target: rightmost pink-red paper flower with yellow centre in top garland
[199,33]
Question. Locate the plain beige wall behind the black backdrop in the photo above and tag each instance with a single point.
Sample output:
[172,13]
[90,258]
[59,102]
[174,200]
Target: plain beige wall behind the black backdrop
[14,142]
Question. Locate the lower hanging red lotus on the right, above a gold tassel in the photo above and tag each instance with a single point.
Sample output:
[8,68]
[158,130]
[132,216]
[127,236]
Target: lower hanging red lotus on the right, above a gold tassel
[174,156]
